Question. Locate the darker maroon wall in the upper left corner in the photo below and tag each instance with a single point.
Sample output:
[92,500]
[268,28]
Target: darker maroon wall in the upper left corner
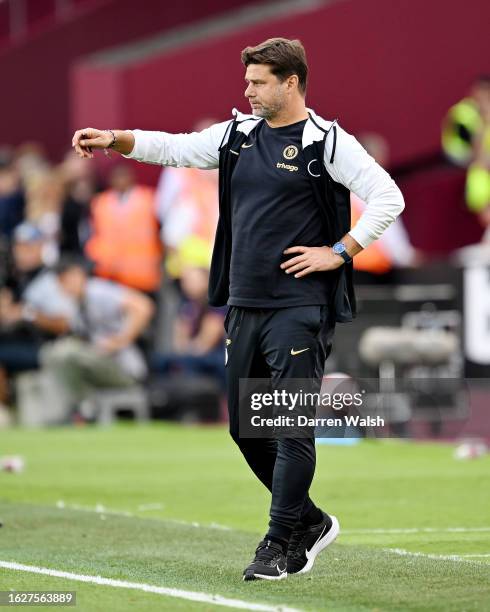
[34,72]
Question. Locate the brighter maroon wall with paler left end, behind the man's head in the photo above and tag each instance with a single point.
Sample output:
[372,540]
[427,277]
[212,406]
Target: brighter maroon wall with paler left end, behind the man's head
[377,65]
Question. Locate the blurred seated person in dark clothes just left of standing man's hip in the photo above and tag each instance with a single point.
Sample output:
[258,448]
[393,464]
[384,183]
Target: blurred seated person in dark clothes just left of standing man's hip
[198,332]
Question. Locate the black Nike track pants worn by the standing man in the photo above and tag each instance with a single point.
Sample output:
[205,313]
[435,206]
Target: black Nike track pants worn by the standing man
[259,345]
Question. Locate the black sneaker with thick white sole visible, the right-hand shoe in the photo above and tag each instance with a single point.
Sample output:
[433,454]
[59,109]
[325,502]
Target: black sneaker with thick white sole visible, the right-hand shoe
[307,542]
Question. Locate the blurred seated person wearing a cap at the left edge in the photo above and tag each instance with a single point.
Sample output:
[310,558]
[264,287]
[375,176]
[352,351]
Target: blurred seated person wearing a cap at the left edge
[33,308]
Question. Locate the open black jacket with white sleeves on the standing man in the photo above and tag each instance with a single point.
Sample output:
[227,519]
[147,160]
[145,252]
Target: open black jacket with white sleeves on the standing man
[337,164]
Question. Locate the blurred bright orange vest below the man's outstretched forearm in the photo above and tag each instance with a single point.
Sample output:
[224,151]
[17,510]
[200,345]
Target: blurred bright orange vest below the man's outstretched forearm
[125,245]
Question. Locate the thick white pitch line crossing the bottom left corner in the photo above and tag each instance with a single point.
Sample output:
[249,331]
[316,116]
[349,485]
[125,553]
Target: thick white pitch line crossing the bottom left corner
[217,600]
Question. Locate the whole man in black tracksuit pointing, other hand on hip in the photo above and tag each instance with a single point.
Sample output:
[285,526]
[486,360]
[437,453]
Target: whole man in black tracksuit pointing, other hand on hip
[282,261]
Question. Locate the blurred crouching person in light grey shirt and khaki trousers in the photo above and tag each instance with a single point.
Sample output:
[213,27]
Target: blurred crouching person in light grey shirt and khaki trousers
[102,351]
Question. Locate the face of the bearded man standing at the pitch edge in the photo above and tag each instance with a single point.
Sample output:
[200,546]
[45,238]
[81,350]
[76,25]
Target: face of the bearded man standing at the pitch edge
[265,92]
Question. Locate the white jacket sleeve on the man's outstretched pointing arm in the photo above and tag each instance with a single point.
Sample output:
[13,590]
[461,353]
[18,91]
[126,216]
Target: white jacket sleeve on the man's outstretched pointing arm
[194,150]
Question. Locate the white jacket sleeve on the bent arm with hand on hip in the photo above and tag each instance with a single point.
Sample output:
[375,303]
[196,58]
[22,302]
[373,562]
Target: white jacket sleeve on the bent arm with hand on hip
[354,168]
